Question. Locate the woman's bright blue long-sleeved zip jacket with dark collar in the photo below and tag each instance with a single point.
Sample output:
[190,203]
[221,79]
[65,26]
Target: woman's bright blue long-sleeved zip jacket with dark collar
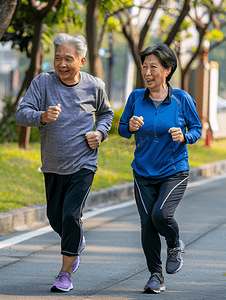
[156,154]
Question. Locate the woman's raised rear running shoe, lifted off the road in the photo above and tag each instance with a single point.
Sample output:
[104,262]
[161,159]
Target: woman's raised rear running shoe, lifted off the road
[174,261]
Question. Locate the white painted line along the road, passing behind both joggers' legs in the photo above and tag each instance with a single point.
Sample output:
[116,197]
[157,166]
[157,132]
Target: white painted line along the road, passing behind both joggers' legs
[90,214]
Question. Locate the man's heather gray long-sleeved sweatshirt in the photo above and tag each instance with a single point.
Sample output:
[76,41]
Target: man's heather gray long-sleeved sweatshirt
[64,149]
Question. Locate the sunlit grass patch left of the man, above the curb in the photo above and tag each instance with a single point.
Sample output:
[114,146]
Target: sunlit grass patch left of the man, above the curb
[23,185]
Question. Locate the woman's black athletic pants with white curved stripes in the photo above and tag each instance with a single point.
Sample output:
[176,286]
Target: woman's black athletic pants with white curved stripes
[157,200]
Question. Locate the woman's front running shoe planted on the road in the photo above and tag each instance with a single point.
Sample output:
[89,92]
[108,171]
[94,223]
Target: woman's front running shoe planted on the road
[155,284]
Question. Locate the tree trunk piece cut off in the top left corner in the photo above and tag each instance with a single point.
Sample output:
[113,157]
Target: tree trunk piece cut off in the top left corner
[7,8]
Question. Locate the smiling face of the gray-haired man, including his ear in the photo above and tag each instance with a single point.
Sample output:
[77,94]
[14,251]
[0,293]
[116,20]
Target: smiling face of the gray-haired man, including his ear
[67,64]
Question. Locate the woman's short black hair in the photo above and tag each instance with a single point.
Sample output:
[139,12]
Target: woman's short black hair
[165,54]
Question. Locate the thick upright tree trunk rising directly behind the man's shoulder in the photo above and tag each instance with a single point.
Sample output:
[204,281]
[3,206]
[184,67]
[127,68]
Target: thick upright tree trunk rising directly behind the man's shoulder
[95,63]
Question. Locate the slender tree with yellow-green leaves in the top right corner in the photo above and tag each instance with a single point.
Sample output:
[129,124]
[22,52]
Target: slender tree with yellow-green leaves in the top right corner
[207,19]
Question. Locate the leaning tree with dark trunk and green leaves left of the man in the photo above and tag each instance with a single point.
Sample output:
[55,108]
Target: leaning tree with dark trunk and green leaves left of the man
[26,32]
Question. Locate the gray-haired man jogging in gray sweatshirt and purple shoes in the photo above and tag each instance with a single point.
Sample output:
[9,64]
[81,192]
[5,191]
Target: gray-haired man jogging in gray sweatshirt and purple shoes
[63,104]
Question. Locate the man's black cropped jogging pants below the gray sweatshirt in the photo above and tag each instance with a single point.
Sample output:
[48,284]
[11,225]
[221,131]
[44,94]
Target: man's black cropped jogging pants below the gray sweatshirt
[66,196]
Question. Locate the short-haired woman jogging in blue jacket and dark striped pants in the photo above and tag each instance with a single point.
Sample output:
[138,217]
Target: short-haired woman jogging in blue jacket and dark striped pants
[163,121]
